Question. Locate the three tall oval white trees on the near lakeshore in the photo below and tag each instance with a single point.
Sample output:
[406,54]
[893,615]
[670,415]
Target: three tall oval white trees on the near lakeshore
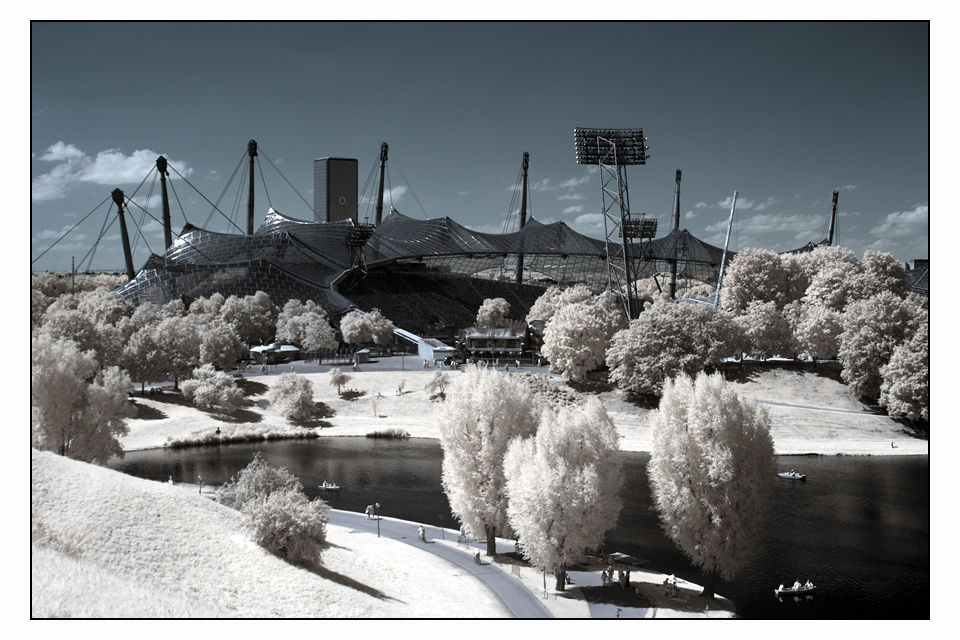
[551,475]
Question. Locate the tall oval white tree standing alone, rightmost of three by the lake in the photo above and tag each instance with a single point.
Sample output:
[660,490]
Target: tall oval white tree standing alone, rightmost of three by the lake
[711,471]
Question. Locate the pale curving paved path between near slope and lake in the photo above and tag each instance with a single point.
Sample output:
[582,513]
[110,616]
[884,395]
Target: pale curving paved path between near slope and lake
[518,600]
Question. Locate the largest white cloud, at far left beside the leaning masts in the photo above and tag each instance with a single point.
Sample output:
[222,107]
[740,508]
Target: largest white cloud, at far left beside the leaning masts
[109,168]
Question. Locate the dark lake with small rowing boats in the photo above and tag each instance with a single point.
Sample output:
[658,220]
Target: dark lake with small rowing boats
[858,527]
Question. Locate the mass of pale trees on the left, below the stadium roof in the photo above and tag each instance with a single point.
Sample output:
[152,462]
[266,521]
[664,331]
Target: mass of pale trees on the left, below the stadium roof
[90,347]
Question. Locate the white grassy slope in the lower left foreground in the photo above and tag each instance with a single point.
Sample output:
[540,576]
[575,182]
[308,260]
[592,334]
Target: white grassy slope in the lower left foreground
[111,545]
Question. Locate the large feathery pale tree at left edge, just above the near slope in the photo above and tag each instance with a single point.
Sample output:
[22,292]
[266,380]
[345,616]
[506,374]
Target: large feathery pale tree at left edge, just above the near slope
[76,410]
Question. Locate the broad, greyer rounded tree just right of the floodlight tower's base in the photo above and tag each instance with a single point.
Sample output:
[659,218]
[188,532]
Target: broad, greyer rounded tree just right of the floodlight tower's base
[669,338]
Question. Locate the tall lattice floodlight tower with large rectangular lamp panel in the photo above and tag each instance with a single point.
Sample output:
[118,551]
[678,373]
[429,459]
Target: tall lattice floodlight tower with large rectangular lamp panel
[612,150]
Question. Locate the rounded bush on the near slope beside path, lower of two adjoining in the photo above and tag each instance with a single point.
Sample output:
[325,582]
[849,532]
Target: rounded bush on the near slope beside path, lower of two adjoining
[289,525]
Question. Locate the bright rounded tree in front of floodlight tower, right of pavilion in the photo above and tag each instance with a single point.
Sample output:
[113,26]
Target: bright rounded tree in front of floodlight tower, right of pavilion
[576,338]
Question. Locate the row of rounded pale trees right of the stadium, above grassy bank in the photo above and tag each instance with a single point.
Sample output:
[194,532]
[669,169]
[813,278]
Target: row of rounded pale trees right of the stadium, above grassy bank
[824,304]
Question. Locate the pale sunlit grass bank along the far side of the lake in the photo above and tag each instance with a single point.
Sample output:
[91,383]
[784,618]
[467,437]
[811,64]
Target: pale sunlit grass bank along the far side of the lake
[811,412]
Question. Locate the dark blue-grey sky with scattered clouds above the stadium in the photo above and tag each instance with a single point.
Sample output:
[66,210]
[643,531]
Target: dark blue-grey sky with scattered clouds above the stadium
[783,113]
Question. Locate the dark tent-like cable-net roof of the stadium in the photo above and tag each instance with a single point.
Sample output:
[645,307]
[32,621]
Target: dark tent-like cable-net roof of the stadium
[289,258]
